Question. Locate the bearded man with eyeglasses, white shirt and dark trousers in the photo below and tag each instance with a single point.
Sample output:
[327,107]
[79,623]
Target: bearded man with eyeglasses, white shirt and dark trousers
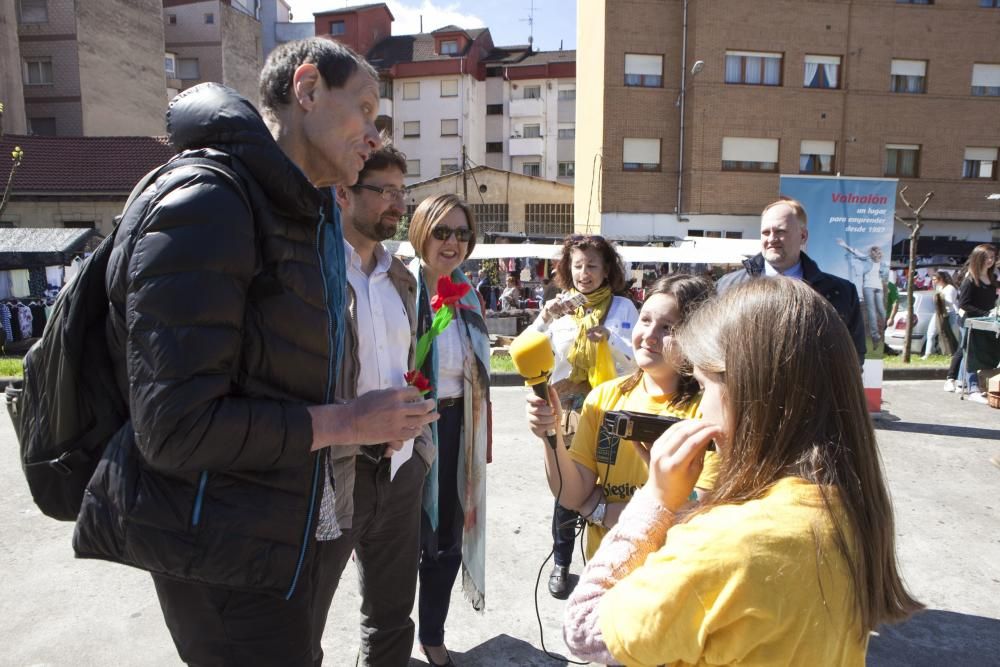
[379,515]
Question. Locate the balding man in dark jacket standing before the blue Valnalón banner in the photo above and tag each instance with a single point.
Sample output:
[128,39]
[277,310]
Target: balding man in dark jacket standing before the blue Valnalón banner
[783,232]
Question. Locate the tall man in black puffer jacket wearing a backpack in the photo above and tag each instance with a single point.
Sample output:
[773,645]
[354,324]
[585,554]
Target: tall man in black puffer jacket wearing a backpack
[226,325]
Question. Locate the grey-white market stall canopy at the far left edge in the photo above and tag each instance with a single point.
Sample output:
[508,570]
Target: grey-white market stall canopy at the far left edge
[28,247]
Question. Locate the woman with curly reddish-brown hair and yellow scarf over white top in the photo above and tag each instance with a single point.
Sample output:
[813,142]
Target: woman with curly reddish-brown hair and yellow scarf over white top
[585,338]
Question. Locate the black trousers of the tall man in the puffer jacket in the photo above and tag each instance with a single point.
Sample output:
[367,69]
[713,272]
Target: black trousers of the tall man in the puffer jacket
[217,627]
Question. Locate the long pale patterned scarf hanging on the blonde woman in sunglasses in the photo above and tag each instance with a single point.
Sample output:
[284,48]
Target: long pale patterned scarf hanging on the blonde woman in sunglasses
[472,448]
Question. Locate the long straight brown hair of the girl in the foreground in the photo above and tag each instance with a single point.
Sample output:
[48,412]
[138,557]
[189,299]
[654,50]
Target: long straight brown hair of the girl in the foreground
[796,407]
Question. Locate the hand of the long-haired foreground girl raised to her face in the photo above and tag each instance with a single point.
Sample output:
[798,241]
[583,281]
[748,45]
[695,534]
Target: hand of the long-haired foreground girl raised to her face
[675,461]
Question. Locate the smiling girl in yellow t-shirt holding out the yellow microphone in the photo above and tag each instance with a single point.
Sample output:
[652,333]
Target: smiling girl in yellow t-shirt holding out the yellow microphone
[599,473]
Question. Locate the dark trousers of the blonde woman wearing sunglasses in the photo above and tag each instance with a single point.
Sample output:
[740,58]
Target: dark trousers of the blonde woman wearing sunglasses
[441,550]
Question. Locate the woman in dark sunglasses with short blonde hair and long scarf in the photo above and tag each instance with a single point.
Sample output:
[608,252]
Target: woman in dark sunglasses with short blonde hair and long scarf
[453,532]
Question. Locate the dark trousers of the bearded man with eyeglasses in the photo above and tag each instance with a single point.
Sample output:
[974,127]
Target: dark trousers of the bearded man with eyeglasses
[385,535]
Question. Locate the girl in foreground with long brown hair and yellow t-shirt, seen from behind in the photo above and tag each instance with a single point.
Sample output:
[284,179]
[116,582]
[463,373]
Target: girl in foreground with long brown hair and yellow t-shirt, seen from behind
[790,559]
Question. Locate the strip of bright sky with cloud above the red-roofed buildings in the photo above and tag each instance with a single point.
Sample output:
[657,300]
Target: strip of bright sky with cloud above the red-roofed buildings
[555,20]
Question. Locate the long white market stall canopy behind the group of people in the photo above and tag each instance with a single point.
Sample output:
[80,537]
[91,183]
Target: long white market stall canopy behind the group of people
[692,250]
